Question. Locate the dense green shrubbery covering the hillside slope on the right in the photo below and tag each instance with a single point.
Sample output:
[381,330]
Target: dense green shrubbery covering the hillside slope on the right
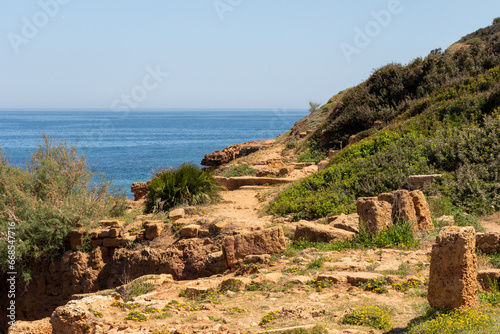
[444,116]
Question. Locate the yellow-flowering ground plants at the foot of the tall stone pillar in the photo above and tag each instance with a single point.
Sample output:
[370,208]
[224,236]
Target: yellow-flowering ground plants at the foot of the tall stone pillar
[448,322]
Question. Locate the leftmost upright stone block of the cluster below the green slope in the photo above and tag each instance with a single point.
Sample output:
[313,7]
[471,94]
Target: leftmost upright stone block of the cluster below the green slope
[374,214]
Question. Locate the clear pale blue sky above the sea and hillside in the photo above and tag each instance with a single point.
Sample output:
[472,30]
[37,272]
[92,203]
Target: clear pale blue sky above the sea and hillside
[244,54]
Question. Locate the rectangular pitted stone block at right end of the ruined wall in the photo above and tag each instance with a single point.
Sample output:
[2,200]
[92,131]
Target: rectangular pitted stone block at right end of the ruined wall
[268,241]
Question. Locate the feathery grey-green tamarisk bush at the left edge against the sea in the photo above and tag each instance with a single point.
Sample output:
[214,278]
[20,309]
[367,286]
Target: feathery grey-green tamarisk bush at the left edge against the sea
[54,195]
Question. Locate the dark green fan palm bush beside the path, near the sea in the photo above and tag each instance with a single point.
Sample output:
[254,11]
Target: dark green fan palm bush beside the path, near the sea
[187,184]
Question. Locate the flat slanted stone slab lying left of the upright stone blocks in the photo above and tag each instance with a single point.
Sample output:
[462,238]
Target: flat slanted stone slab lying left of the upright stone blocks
[321,233]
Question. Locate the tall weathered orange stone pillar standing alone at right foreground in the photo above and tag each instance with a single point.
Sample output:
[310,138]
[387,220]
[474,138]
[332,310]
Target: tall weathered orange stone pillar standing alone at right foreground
[453,272]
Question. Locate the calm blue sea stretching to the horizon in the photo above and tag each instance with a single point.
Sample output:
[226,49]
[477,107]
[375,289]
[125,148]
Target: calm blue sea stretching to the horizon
[129,146]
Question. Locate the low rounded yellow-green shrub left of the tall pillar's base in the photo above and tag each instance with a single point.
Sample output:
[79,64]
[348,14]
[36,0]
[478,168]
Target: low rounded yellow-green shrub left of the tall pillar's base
[371,316]
